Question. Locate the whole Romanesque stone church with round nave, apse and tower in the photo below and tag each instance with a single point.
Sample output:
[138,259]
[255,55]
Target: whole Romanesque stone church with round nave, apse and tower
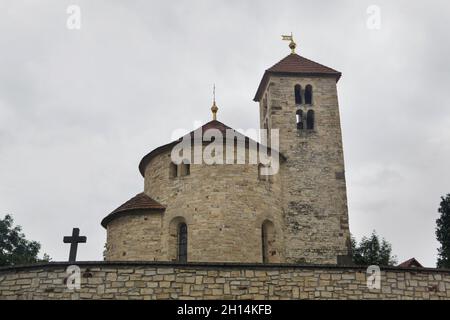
[201,212]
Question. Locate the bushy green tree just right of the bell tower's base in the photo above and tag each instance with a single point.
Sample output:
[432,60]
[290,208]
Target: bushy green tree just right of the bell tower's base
[372,251]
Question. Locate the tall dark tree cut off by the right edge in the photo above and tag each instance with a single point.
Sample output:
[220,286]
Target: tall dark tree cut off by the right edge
[443,233]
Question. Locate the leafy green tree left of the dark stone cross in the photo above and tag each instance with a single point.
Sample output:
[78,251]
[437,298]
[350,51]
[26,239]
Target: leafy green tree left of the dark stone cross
[15,249]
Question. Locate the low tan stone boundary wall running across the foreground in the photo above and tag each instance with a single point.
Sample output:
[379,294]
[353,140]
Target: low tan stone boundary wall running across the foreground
[132,280]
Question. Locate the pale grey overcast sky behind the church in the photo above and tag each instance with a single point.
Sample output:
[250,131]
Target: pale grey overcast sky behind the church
[80,108]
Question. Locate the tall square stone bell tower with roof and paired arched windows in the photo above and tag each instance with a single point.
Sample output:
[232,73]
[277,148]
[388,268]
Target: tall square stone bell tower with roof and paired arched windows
[298,97]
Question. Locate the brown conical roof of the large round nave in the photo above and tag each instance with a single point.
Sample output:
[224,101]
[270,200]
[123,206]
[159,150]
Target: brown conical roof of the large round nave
[214,124]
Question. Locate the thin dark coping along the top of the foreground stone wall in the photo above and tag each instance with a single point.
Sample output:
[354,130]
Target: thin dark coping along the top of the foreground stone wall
[208,265]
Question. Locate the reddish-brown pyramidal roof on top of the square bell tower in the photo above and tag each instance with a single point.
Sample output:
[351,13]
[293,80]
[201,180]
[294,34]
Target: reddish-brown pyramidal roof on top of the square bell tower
[294,64]
